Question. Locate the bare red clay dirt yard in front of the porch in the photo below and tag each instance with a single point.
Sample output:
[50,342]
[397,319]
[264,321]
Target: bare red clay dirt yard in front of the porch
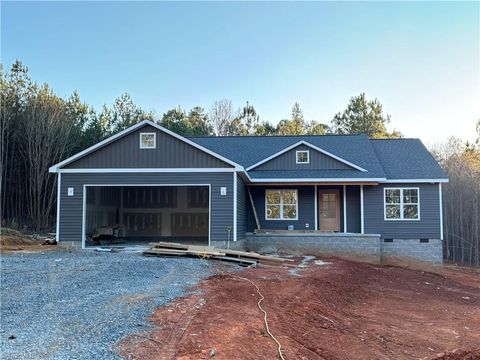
[342,310]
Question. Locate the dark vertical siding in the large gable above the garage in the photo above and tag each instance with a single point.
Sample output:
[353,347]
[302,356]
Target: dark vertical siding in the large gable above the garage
[125,152]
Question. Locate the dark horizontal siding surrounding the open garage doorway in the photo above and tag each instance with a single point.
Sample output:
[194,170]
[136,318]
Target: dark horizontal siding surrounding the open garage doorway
[71,206]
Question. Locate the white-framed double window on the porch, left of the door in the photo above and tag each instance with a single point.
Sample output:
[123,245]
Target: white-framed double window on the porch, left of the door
[281,205]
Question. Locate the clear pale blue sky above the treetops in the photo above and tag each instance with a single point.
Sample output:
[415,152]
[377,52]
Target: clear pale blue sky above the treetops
[421,59]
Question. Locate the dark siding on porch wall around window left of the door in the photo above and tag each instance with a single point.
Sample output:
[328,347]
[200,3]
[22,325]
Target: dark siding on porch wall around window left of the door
[306,209]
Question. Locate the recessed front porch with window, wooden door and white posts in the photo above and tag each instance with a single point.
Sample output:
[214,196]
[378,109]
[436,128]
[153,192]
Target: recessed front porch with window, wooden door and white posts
[331,208]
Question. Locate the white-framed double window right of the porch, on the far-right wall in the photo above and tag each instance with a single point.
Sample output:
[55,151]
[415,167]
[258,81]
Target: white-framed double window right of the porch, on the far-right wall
[402,204]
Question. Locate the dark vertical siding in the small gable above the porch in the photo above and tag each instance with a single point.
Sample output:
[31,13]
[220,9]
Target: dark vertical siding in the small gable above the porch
[287,161]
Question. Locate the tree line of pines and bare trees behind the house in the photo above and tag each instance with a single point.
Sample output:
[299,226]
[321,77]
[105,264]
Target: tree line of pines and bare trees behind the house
[38,128]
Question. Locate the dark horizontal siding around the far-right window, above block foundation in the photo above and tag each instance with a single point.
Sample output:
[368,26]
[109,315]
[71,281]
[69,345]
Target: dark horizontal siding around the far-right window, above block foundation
[427,227]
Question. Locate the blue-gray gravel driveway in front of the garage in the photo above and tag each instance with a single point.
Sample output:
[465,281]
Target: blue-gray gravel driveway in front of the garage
[76,305]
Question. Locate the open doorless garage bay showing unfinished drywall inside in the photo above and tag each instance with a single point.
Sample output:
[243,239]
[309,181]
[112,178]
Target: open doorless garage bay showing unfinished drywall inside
[125,215]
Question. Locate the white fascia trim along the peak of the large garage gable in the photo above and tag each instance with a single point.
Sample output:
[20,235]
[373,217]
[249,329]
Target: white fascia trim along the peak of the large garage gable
[132,128]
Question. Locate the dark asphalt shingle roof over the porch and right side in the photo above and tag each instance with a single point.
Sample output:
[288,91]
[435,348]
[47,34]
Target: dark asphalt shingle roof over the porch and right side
[390,158]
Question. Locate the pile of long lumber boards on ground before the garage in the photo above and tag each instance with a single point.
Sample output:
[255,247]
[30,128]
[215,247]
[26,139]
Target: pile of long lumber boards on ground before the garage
[209,252]
